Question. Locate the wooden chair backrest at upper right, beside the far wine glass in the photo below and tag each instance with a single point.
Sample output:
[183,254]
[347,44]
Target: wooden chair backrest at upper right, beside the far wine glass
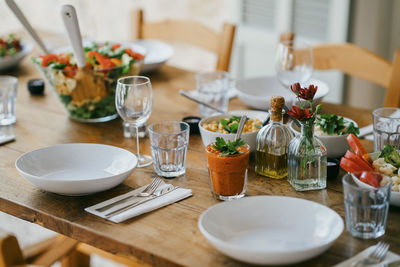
[361,63]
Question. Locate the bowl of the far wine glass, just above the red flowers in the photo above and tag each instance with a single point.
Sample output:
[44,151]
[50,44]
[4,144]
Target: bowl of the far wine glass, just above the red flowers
[293,62]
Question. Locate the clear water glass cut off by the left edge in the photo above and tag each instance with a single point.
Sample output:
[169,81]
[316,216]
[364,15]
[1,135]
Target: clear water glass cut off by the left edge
[8,96]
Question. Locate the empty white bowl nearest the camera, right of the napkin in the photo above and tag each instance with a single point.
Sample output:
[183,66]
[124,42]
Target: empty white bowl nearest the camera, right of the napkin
[270,229]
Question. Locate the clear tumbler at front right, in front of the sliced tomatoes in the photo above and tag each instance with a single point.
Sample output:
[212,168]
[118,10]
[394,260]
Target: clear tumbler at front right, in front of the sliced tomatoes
[365,209]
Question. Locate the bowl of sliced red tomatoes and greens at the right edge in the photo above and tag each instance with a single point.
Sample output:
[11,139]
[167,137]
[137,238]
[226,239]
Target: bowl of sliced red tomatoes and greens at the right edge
[372,170]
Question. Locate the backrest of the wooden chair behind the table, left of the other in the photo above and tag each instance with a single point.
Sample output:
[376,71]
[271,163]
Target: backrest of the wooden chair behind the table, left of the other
[190,32]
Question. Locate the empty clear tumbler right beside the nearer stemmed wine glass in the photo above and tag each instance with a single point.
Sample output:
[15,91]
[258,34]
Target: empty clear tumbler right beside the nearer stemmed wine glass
[169,141]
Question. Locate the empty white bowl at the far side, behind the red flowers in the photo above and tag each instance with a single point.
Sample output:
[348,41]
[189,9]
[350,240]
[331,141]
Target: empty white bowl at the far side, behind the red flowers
[256,92]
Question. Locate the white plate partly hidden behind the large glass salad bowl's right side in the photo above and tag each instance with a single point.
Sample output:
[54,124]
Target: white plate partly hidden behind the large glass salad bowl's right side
[157,53]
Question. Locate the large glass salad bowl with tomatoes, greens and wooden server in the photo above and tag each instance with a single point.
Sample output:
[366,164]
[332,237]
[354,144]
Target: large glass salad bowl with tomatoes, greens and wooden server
[92,98]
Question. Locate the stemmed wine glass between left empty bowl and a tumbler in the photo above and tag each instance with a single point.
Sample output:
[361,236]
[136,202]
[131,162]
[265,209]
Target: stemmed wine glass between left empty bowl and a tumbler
[134,103]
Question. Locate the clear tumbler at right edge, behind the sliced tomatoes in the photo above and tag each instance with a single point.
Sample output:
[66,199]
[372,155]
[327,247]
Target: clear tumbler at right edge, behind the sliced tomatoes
[386,127]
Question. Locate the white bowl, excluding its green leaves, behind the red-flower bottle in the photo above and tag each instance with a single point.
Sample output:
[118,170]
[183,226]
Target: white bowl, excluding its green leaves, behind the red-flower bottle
[336,146]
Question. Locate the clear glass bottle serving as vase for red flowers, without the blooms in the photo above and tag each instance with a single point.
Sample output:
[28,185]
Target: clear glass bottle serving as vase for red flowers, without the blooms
[307,160]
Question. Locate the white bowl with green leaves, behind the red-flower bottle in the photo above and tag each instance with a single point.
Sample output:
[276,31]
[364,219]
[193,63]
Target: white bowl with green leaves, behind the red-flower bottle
[332,130]
